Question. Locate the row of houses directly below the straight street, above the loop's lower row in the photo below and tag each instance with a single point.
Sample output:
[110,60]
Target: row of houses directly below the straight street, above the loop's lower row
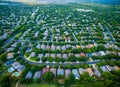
[65,47]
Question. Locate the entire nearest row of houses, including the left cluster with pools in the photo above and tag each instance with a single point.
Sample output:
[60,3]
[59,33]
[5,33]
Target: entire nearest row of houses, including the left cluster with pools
[17,68]
